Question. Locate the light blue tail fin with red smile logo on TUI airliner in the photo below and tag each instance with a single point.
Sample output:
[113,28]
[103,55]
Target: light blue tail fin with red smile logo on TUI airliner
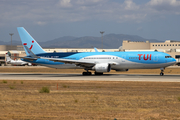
[29,41]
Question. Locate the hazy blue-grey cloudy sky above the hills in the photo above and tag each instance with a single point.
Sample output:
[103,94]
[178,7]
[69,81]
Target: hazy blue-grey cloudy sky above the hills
[50,19]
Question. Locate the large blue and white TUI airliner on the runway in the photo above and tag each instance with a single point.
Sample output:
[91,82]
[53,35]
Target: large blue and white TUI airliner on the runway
[99,62]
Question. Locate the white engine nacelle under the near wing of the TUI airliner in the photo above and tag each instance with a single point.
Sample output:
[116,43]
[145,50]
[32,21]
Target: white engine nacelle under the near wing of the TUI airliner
[102,67]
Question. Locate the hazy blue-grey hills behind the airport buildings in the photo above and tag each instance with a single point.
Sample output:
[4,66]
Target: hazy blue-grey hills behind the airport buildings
[109,41]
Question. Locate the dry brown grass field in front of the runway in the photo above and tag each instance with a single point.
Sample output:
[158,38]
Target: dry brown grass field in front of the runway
[85,100]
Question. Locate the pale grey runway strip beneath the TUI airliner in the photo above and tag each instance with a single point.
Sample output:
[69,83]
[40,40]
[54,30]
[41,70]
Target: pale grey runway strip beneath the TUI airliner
[105,77]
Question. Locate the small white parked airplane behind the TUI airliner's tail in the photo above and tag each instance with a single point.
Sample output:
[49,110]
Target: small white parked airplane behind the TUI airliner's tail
[16,62]
